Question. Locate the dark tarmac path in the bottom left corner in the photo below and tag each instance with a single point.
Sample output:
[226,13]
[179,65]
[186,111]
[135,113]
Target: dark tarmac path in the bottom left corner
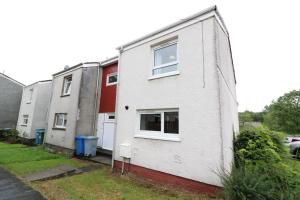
[12,188]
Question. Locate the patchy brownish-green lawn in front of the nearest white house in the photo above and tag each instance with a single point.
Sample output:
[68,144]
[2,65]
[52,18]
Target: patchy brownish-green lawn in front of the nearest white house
[101,184]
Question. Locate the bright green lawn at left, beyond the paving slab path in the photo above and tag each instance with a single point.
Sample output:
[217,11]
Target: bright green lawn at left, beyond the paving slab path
[22,160]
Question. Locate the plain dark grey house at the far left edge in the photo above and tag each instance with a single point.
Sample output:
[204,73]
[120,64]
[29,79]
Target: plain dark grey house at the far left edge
[10,98]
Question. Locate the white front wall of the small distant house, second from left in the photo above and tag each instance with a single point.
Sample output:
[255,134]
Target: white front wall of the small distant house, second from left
[27,108]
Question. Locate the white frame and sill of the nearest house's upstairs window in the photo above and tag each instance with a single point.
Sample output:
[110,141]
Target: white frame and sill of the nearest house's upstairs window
[175,72]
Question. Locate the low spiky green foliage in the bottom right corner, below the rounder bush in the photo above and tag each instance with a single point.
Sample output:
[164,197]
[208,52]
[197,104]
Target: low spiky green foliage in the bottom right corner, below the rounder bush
[262,181]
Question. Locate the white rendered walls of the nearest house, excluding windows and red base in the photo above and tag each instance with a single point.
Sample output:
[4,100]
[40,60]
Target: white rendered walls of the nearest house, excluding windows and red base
[198,91]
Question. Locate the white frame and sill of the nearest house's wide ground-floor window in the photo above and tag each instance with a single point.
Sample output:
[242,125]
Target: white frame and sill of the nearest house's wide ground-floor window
[159,135]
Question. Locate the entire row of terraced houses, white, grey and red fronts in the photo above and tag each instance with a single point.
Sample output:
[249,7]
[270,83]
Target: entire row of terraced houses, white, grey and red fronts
[165,106]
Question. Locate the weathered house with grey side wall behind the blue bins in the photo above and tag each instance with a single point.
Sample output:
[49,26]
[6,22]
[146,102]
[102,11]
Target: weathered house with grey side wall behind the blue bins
[73,106]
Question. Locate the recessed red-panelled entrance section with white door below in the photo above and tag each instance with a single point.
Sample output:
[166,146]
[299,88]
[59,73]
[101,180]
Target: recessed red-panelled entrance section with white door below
[106,116]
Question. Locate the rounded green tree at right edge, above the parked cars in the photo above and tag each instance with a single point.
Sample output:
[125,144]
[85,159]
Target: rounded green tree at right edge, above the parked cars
[284,113]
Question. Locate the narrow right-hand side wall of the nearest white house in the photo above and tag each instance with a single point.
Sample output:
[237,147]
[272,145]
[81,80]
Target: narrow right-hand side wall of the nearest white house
[228,99]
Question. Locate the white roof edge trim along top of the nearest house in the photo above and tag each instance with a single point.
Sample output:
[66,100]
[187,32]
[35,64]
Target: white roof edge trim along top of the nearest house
[192,17]
